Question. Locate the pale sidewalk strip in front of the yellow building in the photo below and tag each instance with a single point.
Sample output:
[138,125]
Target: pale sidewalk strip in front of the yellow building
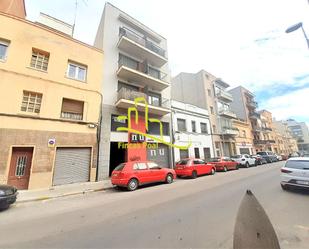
[64,190]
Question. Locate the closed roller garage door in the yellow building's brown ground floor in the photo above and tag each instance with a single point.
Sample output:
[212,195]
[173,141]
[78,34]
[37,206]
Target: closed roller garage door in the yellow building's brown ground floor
[72,165]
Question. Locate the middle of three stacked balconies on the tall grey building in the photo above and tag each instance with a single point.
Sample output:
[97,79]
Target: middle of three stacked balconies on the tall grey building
[141,73]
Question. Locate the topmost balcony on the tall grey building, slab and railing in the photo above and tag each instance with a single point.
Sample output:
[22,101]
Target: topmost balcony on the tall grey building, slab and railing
[141,47]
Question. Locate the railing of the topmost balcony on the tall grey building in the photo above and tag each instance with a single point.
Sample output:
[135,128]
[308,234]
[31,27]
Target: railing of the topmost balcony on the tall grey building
[130,34]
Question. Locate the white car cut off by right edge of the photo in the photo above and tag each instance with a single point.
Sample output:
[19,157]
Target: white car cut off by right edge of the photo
[295,173]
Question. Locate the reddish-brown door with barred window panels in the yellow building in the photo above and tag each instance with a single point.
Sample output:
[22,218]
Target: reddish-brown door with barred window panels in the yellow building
[20,167]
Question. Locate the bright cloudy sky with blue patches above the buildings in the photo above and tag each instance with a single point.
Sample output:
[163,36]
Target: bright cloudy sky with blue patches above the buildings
[242,42]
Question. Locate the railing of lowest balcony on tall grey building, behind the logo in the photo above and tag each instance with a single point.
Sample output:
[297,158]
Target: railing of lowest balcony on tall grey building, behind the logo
[128,94]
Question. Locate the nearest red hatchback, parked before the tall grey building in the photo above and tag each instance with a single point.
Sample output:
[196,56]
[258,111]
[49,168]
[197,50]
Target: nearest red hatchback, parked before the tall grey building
[134,174]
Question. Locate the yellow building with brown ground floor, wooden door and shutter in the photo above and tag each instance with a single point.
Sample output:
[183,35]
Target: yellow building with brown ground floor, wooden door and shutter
[49,103]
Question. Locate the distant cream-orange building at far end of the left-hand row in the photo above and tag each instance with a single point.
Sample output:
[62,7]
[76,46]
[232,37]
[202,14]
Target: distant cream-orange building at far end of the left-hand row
[286,143]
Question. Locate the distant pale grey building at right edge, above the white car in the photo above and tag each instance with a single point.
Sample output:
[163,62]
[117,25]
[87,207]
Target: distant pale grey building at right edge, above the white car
[300,132]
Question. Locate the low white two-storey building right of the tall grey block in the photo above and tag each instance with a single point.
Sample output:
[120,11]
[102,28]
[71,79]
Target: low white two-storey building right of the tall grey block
[191,123]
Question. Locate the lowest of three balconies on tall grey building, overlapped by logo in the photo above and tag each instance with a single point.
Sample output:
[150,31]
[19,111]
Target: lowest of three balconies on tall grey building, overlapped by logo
[126,99]
